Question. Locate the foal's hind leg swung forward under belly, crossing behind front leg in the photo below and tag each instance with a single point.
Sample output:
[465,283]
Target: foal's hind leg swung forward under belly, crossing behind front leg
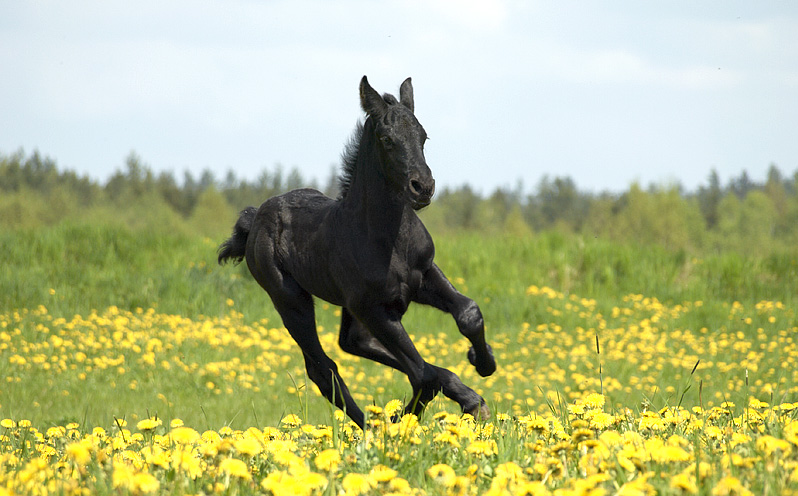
[357,340]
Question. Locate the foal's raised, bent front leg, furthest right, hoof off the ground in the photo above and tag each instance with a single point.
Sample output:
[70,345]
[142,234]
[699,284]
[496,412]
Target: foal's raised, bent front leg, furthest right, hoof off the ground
[437,291]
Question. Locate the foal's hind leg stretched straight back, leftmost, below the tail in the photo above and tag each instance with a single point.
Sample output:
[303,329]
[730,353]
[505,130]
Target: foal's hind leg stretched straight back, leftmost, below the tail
[296,309]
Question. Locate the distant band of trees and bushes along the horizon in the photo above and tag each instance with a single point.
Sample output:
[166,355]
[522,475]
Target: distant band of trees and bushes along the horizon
[742,215]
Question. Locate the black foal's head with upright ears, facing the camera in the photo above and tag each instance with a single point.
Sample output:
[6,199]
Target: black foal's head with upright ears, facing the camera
[400,142]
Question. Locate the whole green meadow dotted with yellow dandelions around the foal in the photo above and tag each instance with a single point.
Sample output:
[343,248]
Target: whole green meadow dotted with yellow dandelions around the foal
[132,363]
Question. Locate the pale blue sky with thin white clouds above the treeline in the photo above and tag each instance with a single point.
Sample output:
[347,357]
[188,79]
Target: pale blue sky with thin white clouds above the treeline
[607,93]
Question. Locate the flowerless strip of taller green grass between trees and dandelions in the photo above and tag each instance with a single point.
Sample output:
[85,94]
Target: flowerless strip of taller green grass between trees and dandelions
[93,267]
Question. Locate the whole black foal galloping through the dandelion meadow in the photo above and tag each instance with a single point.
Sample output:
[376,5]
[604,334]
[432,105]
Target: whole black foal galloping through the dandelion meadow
[367,252]
